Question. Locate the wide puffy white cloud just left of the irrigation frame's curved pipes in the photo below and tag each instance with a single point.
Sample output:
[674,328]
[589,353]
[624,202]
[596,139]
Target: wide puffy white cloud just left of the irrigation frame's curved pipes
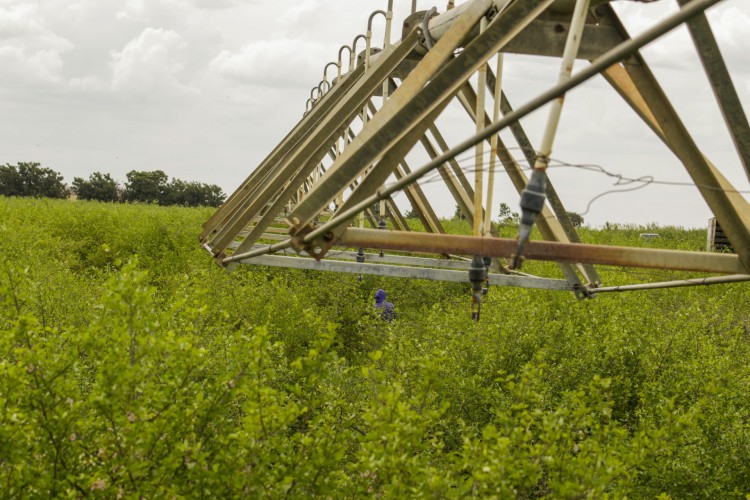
[275,64]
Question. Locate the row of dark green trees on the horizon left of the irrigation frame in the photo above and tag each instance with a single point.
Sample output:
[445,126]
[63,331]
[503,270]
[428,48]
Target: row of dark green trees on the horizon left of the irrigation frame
[30,179]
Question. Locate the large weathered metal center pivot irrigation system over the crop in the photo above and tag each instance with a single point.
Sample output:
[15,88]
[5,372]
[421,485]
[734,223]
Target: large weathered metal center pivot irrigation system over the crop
[346,159]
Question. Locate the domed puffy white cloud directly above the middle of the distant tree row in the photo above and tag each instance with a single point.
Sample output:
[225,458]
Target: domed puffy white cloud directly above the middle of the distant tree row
[151,63]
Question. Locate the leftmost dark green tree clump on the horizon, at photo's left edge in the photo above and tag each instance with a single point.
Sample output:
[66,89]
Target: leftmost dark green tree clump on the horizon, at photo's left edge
[31,179]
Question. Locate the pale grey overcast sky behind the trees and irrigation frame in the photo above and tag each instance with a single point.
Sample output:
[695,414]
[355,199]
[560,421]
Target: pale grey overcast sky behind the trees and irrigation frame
[204,89]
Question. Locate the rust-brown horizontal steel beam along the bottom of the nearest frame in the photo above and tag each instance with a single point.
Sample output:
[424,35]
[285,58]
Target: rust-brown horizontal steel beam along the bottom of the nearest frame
[545,250]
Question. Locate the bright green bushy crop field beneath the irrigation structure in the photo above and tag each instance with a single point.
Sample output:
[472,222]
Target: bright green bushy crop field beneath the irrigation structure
[131,366]
